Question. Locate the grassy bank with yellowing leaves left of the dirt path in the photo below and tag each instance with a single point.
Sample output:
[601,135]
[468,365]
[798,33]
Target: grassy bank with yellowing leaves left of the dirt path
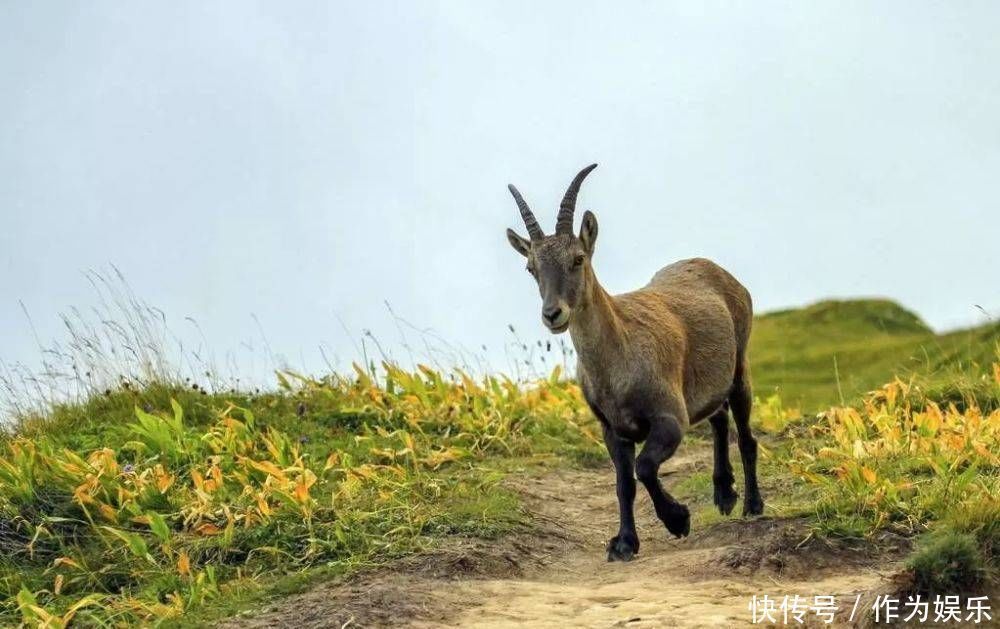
[152,504]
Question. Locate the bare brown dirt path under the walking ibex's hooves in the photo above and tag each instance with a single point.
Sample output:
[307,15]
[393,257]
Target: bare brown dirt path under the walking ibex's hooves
[558,576]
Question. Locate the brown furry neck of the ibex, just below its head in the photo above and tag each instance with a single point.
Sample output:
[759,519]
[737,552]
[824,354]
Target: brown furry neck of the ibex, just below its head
[597,331]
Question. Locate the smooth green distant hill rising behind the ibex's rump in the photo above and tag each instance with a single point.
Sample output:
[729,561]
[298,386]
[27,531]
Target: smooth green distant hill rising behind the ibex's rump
[834,351]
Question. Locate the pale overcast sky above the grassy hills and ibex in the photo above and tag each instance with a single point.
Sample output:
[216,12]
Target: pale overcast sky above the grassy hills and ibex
[299,162]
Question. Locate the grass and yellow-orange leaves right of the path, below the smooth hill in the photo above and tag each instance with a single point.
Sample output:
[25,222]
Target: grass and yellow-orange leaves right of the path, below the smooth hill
[918,459]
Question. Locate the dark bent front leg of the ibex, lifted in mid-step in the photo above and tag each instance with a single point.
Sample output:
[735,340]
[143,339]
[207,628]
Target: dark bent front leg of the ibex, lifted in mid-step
[664,436]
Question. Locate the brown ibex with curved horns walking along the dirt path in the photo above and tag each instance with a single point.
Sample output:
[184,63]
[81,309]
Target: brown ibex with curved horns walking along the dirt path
[650,363]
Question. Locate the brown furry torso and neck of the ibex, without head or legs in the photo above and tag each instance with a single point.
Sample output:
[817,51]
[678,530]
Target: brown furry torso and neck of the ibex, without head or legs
[680,336]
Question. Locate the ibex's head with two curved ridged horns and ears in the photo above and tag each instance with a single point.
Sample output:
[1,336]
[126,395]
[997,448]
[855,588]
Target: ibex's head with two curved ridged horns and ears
[560,263]
